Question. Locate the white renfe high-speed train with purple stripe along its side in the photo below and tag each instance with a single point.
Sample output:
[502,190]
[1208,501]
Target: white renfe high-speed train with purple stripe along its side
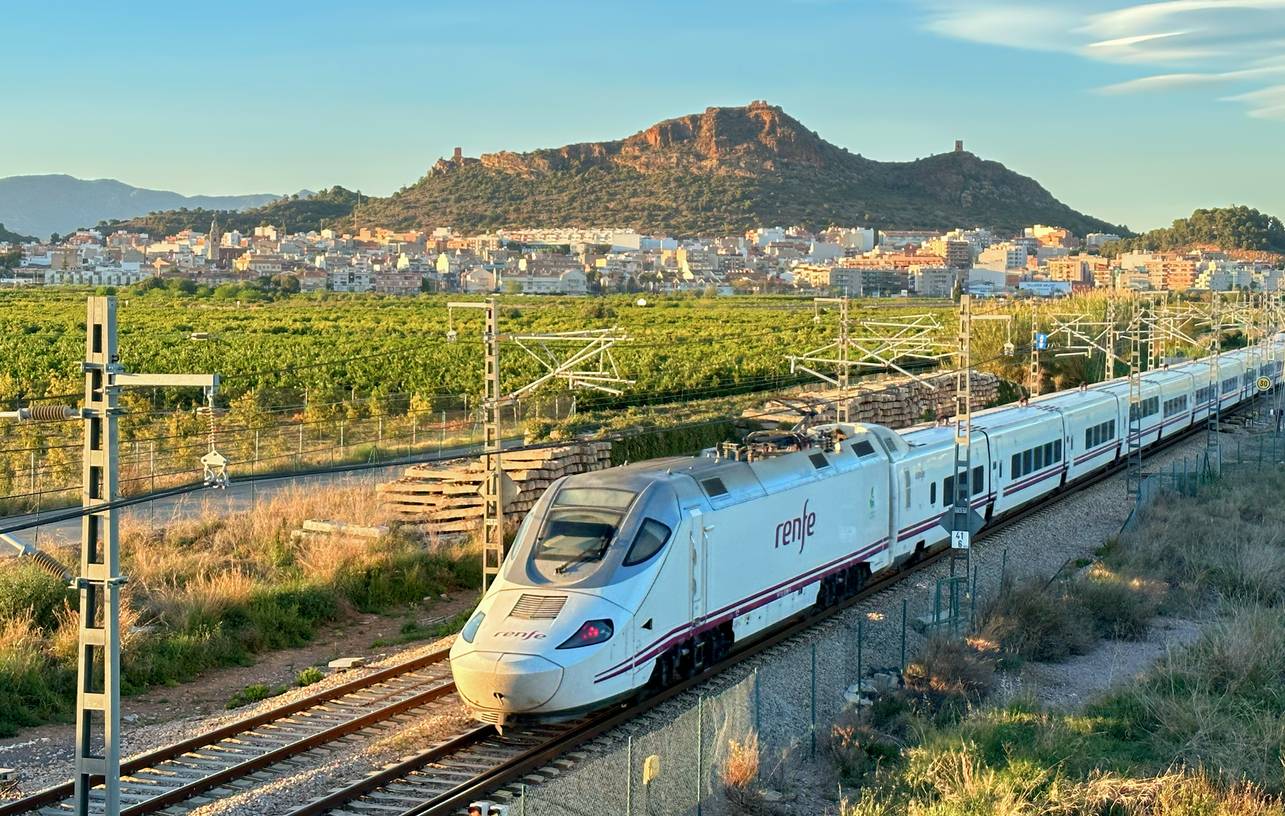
[646,574]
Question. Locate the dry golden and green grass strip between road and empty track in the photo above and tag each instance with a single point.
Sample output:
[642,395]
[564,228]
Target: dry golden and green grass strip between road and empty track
[214,589]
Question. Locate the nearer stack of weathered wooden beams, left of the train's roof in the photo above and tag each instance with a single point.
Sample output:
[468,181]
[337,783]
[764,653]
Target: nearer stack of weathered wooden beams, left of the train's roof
[448,499]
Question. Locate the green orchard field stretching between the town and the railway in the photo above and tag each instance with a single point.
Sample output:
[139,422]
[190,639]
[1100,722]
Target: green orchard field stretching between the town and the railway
[303,373]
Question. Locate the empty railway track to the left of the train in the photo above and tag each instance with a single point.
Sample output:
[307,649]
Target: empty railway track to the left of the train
[226,758]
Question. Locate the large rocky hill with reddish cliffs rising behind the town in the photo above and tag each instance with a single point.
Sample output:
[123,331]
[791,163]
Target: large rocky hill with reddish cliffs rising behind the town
[718,173]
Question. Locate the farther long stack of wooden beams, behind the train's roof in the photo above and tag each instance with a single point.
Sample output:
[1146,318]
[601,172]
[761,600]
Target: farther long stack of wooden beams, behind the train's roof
[894,403]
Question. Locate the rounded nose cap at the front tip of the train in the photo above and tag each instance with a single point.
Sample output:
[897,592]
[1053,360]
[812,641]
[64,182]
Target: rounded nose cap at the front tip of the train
[513,683]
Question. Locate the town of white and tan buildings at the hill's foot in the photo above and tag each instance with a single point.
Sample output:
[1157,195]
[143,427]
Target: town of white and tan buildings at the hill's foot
[1041,262]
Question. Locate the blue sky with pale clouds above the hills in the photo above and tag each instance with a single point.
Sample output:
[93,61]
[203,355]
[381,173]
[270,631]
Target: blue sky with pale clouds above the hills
[1134,112]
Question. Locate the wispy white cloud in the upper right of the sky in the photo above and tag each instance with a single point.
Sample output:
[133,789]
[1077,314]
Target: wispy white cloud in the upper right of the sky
[1175,43]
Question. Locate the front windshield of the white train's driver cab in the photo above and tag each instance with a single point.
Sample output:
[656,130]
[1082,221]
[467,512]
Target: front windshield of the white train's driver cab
[581,526]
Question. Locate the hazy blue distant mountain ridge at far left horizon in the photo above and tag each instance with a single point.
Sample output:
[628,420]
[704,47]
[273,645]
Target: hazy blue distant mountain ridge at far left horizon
[58,204]
